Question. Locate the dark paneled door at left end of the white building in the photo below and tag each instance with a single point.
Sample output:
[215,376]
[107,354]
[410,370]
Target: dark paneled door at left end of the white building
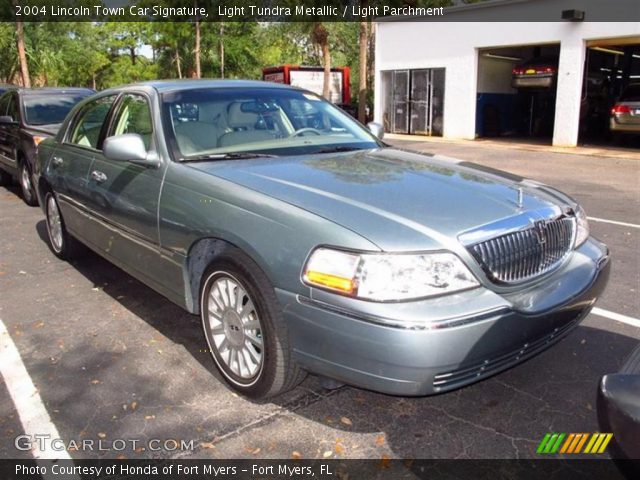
[413,101]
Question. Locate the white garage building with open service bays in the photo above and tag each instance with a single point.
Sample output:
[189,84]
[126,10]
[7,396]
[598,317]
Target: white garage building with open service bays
[438,77]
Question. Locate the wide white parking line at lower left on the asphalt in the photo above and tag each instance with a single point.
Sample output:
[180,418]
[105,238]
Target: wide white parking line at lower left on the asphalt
[26,399]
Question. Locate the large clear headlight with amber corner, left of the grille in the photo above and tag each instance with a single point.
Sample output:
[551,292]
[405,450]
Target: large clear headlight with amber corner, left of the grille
[387,277]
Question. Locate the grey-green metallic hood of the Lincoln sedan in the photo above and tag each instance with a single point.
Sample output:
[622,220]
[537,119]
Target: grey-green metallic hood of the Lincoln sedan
[398,200]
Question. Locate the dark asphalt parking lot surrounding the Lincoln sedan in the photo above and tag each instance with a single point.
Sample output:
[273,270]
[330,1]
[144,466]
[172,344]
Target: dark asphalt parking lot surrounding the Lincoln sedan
[118,365]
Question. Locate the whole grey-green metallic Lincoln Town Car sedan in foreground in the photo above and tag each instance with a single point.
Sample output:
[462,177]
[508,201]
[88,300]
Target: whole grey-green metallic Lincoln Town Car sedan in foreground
[306,244]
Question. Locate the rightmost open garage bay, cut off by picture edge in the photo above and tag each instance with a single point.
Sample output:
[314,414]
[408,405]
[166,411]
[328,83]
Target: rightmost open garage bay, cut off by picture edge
[610,103]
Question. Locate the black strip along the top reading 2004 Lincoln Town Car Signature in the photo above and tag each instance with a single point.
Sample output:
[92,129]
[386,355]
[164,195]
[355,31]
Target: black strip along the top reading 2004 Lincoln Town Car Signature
[320,11]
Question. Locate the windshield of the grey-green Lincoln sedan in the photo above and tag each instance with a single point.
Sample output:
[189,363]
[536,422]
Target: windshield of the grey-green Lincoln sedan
[212,122]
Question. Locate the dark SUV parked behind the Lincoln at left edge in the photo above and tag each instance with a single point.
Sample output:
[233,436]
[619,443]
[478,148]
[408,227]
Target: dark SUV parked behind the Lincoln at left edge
[28,116]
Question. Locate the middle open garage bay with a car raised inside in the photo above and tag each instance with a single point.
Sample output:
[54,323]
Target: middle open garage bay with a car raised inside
[516,93]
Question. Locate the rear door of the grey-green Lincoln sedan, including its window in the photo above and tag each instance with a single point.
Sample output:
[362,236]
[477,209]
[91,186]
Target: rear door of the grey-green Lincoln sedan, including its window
[68,169]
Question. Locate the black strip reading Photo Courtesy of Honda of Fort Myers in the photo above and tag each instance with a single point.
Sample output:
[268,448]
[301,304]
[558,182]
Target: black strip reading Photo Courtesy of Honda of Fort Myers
[317,469]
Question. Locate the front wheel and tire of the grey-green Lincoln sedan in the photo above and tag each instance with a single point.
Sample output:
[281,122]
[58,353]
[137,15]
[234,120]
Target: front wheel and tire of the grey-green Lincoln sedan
[244,328]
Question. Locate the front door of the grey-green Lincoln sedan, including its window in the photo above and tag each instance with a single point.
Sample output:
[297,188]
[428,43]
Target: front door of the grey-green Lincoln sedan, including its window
[124,196]
